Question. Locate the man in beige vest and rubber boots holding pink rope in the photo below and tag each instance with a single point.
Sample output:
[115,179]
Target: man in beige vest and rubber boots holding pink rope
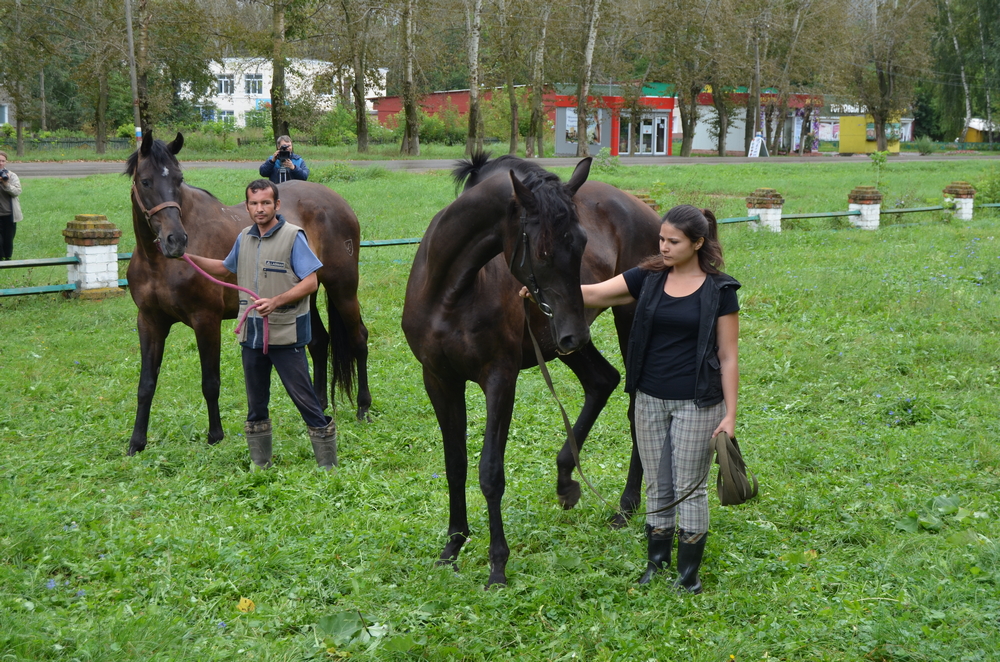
[272,258]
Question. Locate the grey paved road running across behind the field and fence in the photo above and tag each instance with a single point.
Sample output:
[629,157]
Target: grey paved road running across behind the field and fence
[85,168]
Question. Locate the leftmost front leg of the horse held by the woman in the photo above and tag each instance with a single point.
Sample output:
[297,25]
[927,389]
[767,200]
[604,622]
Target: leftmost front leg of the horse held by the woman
[448,400]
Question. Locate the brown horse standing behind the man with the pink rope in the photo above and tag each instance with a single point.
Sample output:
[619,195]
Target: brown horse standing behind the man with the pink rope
[171,218]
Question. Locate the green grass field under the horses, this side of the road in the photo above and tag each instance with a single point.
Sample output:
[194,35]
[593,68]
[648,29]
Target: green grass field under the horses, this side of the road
[869,365]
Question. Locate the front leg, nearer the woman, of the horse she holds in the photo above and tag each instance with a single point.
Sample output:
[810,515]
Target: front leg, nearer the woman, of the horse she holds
[499,390]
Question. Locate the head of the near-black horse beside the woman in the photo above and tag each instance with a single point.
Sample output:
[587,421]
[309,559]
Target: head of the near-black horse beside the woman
[547,252]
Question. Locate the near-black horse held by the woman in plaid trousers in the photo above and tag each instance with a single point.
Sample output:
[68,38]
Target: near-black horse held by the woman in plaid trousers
[516,223]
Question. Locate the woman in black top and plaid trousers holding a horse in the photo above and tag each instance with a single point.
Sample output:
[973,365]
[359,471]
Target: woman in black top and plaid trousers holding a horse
[683,367]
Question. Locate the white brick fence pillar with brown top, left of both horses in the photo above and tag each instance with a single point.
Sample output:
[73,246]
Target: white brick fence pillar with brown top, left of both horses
[94,241]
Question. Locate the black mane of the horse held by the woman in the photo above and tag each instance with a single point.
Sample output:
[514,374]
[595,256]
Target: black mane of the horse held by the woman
[553,202]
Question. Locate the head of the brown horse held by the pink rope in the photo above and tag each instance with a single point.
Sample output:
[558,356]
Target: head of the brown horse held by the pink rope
[156,192]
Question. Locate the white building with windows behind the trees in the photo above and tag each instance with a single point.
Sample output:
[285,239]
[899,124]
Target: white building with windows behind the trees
[243,85]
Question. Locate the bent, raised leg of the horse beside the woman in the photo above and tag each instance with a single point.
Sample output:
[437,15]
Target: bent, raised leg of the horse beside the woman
[599,380]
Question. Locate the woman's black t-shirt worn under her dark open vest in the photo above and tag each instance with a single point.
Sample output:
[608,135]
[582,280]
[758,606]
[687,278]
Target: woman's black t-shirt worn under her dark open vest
[669,368]
